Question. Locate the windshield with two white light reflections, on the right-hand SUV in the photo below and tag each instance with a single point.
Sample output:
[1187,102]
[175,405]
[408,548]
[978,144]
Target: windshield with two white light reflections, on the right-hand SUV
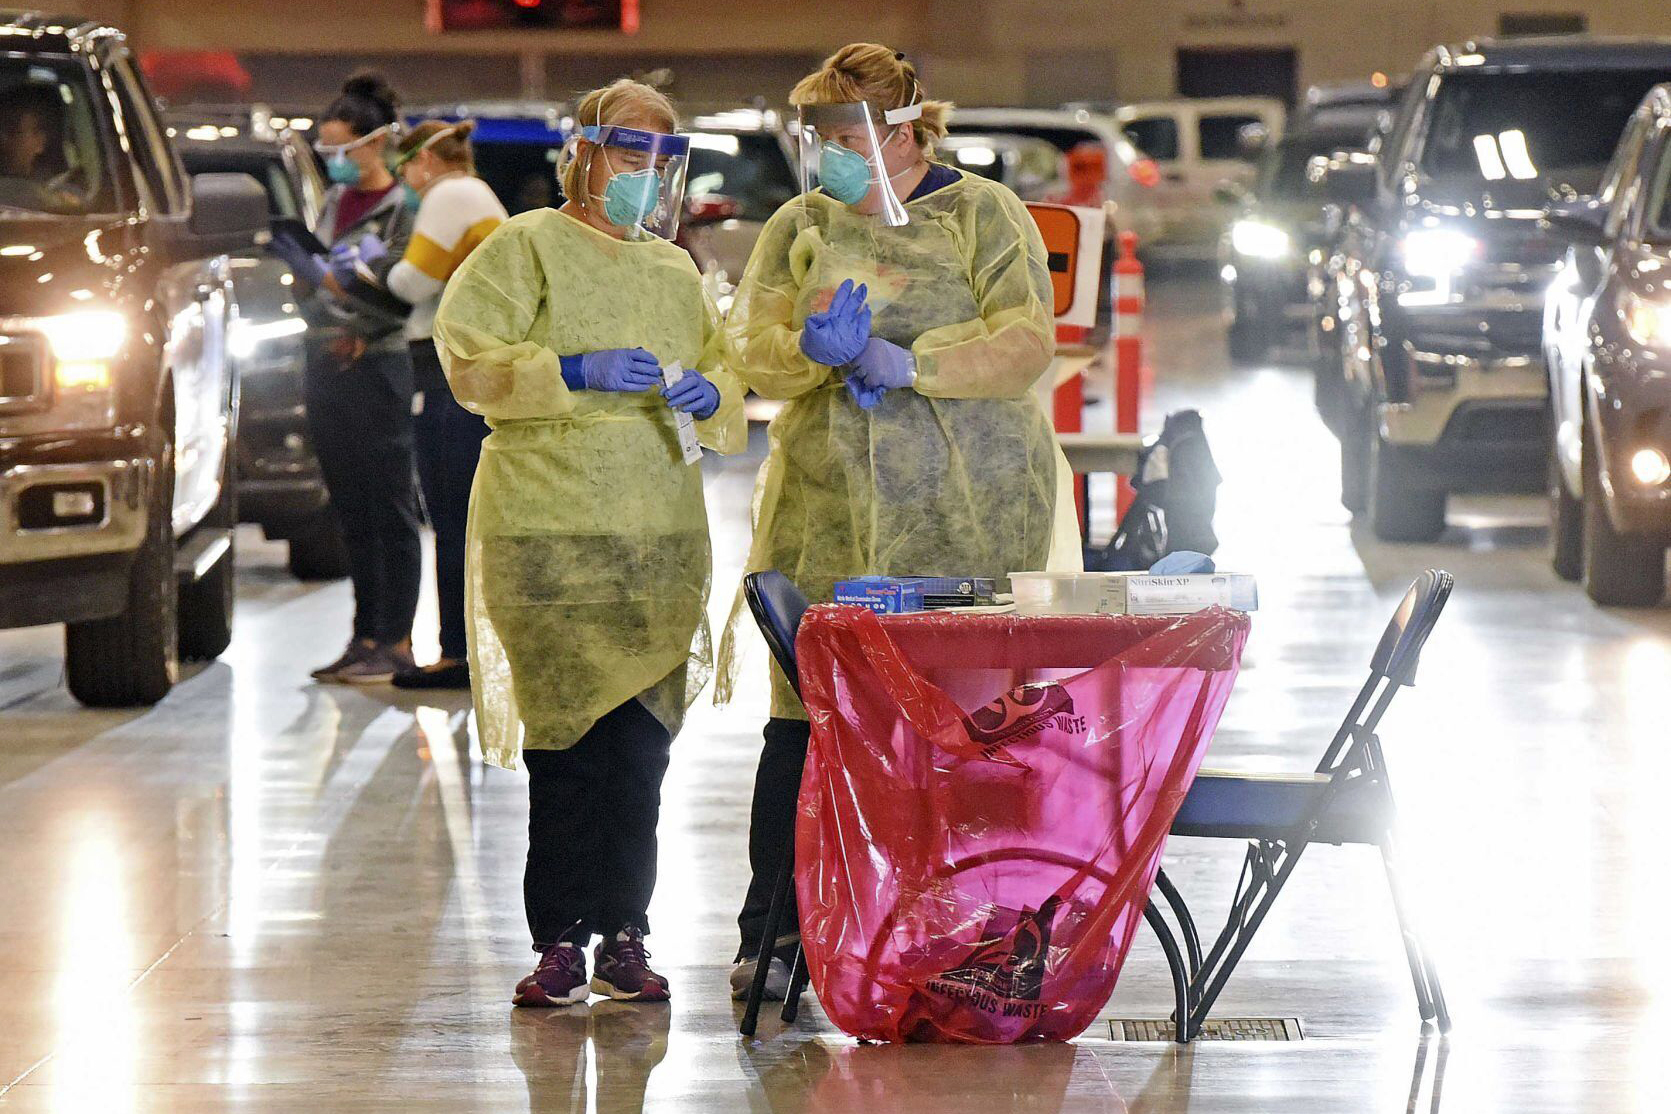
[1553,128]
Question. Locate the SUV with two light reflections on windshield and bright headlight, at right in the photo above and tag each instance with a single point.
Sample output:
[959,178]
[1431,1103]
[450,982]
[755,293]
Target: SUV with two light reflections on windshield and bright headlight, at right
[1445,263]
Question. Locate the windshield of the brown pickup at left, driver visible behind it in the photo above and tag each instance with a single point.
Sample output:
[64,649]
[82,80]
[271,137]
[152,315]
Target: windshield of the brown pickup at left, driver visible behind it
[51,151]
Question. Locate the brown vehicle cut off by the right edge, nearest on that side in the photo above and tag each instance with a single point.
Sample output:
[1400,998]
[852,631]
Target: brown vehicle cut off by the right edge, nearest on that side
[1608,347]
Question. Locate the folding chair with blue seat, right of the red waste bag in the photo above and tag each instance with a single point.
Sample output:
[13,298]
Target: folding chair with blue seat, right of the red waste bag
[1348,799]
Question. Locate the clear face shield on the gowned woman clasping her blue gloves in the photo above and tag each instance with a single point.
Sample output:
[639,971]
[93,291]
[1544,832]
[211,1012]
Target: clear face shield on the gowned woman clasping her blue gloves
[841,153]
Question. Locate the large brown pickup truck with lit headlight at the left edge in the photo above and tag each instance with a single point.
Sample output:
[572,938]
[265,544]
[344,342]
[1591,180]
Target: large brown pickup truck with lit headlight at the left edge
[118,402]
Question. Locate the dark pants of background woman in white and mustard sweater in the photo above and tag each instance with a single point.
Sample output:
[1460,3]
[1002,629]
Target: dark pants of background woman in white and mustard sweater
[449,448]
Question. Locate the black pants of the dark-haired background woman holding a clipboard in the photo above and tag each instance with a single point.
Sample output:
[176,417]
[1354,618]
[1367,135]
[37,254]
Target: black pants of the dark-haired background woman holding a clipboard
[362,425]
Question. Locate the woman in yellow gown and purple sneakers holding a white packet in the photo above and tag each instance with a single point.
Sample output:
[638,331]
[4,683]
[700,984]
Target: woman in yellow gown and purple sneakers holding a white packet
[587,552]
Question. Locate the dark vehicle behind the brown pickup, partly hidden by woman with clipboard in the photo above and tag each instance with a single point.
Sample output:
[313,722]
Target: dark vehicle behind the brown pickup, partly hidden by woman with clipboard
[280,485]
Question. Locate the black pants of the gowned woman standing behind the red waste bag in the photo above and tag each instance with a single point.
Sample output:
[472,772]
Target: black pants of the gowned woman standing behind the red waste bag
[773,828]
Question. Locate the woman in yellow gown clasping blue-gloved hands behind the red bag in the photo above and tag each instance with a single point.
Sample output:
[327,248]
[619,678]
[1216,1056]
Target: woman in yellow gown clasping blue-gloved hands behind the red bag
[903,313]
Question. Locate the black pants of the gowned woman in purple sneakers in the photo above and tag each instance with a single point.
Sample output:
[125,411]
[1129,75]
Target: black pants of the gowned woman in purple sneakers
[592,813]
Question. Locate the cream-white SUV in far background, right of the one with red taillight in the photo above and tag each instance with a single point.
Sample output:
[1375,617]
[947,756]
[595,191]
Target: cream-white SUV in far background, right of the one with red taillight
[1199,146]
